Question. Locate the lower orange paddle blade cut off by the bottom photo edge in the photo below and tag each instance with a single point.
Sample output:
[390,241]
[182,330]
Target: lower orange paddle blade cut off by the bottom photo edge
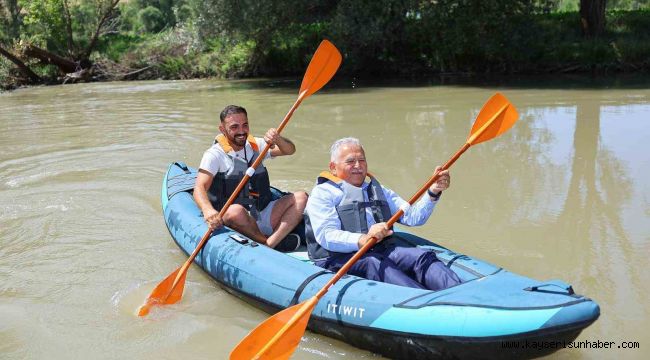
[278,336]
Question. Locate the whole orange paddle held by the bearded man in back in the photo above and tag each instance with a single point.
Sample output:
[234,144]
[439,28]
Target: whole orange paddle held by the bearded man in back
[321,68]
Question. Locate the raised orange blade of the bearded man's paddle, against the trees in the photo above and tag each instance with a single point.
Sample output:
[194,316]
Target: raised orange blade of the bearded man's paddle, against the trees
[322,67]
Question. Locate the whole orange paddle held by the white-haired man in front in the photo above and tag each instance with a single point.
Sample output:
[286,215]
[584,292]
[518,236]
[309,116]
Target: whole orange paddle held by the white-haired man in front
[278,336]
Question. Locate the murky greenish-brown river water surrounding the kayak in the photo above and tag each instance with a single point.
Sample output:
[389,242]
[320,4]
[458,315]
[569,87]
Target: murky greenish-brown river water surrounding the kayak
[563,195]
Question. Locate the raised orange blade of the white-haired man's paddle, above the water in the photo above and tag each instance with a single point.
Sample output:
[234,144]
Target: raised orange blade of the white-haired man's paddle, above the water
[496,117]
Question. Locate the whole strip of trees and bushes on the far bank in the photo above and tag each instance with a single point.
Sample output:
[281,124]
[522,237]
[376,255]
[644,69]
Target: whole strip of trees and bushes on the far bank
[58,41]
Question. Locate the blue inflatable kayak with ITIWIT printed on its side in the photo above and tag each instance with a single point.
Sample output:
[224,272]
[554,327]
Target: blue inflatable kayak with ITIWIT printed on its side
[492,314]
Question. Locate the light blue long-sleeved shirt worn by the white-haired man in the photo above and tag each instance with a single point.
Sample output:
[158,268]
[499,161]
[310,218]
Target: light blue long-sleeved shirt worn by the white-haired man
[321,208]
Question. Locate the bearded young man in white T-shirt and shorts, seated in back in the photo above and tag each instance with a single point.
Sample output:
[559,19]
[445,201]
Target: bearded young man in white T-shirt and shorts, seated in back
[254,213]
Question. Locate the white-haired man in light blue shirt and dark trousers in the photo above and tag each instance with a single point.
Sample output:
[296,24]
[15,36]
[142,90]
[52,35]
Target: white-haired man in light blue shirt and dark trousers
[345,211]
